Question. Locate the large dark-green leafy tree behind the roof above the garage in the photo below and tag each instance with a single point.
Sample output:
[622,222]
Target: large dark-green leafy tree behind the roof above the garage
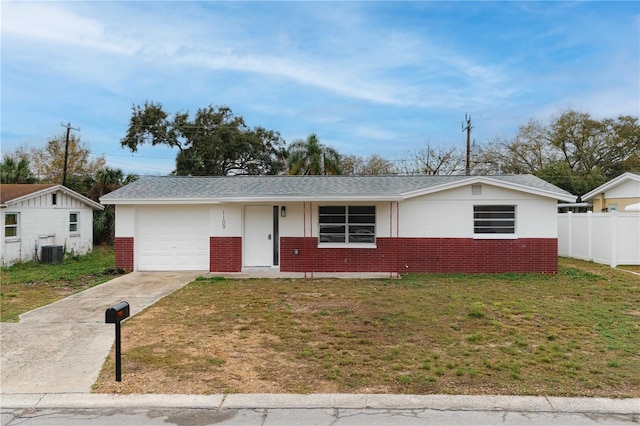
[214,143]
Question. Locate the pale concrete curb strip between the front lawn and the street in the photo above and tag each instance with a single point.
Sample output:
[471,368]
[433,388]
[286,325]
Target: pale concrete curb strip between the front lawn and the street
[319,401]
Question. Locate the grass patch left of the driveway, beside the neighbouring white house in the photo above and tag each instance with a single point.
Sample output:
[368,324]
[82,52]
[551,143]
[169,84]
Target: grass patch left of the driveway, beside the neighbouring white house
[26,286]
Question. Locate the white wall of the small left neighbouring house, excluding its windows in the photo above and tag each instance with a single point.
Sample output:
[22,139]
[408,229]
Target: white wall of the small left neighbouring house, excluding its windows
[41,223]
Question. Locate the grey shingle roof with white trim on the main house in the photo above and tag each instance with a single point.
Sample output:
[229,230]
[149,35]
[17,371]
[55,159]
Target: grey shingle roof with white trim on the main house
[195,190]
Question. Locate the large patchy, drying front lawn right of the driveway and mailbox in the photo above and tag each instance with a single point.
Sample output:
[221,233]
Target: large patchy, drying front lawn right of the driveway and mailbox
[570,334]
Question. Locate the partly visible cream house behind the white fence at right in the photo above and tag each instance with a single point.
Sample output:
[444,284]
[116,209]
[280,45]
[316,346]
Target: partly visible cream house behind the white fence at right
[620,193]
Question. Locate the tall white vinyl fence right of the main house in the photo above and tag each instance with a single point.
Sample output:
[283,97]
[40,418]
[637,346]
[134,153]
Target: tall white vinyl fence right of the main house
[610,238]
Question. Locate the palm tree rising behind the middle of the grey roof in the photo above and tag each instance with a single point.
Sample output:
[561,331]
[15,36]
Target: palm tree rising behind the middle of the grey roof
[310,157]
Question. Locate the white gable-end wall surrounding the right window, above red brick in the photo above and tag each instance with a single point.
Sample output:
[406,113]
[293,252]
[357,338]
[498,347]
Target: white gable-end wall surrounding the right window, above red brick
[449,214]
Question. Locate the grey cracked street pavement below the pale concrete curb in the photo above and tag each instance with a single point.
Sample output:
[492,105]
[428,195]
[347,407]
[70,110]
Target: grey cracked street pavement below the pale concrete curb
[301,416]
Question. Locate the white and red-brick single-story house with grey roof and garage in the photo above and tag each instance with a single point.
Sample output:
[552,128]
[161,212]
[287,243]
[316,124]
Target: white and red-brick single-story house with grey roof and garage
[392,224]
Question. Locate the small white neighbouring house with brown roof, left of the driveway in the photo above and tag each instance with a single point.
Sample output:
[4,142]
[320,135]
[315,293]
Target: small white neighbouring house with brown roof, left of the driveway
[43,215]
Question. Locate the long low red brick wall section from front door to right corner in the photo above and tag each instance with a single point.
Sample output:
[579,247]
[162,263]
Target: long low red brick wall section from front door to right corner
[423,255]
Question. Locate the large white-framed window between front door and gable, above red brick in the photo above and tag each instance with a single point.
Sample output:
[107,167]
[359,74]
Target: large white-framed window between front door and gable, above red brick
[347,224]
